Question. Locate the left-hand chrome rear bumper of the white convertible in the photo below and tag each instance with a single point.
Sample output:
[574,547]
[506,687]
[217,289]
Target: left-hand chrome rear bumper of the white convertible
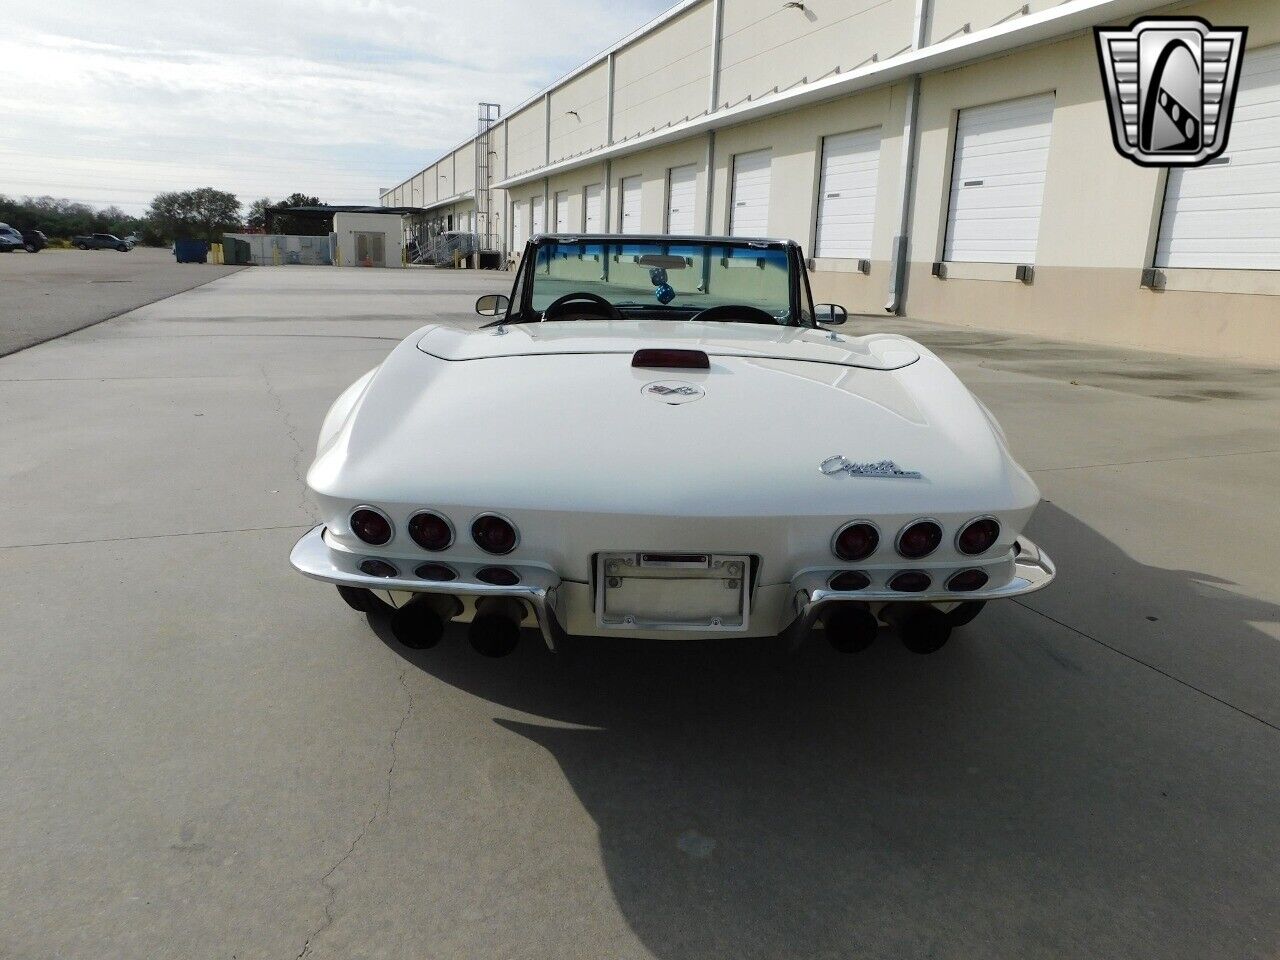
[316,557]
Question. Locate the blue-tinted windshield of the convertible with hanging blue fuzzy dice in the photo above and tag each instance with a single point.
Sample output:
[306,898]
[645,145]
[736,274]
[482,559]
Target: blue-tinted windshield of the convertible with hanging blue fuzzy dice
[660,277]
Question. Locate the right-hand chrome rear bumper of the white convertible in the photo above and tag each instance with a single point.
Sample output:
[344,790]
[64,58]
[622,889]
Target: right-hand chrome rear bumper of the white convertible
[1034,572]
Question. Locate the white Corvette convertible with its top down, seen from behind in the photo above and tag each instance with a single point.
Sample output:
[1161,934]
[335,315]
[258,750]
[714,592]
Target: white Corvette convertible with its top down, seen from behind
[662,437]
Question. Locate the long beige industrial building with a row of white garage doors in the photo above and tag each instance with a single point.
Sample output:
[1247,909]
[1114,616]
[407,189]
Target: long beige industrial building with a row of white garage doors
[950,161]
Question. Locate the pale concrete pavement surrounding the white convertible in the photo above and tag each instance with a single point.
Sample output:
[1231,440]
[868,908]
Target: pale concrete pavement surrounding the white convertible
[208,756]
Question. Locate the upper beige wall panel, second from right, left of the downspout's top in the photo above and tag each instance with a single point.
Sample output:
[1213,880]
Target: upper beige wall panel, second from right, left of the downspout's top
[769,45]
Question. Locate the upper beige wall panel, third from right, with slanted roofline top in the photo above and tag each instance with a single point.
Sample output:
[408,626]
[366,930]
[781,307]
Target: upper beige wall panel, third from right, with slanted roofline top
[665,76]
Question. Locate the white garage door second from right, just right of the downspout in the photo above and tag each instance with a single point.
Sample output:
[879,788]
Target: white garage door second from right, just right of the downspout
[998,181]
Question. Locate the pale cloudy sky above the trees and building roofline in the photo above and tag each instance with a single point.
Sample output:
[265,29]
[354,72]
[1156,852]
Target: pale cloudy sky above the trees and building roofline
[113,103]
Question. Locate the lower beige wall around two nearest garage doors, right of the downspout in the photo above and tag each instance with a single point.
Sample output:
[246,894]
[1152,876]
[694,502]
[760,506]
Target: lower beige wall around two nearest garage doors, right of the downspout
[1098,223]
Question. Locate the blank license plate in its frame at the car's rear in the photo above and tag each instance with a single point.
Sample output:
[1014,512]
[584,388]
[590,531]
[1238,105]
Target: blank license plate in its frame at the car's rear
[674,592]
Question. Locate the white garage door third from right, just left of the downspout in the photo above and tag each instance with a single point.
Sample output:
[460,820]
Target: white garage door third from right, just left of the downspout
[847,203]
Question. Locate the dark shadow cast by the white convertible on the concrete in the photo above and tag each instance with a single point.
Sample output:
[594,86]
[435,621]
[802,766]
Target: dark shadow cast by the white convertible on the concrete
[1023,793]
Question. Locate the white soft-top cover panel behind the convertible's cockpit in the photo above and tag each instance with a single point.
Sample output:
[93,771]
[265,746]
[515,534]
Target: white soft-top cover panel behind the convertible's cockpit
[717,340]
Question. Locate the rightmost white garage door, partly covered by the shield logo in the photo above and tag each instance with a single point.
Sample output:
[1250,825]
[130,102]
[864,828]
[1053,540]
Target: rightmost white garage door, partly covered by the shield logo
[1227,214]
